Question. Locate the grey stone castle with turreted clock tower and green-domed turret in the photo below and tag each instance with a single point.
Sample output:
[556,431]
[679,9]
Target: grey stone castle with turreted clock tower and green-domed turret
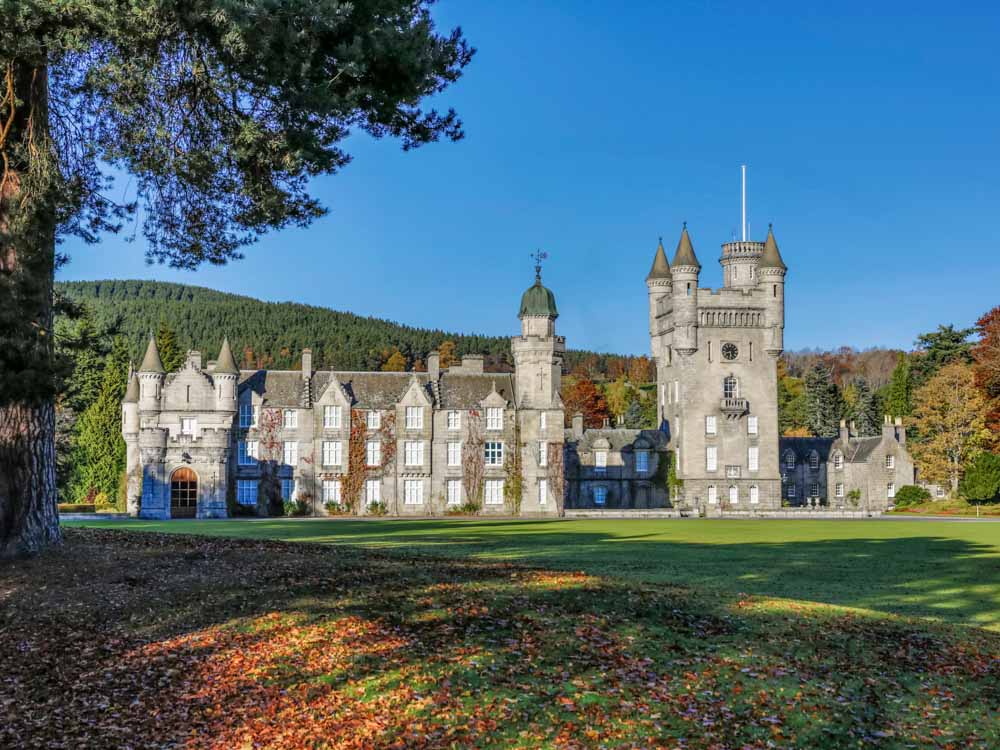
[211,438]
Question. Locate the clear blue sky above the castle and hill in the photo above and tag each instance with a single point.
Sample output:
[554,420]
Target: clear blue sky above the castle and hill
[592,128]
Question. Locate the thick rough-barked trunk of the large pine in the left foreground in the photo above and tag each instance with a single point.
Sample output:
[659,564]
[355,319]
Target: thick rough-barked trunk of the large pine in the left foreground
[29,519]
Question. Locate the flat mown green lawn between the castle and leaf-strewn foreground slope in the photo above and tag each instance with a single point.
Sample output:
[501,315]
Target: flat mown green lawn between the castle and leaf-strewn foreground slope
[946,571]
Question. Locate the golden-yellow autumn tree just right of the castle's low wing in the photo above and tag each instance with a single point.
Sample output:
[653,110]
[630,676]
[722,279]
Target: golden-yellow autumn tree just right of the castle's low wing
[949,413]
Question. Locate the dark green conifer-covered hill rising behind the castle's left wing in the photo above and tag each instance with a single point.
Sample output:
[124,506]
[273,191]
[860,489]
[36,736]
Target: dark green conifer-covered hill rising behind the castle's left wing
[273,334]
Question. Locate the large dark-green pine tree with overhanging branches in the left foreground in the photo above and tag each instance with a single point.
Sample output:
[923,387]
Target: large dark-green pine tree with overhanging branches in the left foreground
[220,113]
